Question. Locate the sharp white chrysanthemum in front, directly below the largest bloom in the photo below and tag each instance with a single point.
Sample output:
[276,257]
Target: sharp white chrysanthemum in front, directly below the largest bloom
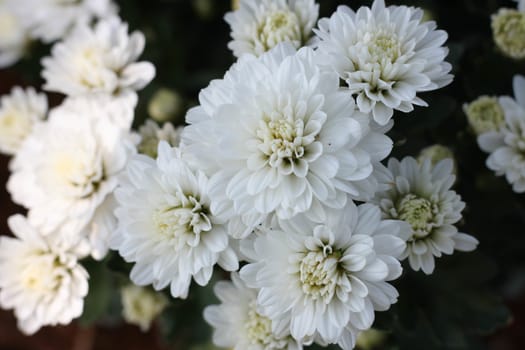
[325,279]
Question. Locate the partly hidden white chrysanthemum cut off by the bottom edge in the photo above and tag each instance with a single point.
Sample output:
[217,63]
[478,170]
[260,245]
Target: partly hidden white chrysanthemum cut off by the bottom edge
[238,323]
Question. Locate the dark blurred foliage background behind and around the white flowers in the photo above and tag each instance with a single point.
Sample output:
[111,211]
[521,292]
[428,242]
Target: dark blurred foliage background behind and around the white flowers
[473,301]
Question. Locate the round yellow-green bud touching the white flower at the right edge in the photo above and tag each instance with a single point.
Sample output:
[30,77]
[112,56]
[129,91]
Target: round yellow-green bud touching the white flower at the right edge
[484,114]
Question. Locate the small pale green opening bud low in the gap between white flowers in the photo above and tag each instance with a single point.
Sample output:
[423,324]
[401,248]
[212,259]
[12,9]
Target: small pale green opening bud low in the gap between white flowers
[140,306]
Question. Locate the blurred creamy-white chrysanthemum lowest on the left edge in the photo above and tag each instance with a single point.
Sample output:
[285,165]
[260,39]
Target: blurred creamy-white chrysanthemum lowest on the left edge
[40,279]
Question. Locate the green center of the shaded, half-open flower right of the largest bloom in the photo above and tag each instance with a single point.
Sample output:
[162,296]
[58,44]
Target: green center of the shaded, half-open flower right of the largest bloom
[418,212]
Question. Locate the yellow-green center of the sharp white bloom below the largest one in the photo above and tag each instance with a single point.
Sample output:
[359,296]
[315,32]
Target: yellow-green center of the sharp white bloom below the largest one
[318,274]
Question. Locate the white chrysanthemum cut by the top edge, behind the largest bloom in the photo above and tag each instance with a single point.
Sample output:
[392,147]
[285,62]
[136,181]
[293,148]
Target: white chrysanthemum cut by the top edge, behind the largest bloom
[259,25]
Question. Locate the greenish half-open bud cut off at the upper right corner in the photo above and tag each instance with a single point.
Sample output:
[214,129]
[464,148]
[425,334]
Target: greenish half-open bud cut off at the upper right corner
[508,29]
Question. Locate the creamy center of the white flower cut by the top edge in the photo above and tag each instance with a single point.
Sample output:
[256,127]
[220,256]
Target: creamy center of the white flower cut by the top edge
[279,26]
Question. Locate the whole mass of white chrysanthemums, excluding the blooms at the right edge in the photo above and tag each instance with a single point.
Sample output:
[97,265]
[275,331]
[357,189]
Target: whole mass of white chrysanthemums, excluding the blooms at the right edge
[266,173]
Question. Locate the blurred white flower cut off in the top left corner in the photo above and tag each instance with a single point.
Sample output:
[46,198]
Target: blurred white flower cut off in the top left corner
[13,36]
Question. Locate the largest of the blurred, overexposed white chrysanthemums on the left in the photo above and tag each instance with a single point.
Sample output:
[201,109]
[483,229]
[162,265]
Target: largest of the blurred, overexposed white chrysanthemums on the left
[66,170]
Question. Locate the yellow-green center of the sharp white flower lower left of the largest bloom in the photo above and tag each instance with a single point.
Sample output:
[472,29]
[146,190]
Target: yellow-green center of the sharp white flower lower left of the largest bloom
[189,217]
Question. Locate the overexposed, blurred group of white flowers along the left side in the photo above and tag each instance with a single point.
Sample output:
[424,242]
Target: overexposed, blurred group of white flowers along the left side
[66,161]
